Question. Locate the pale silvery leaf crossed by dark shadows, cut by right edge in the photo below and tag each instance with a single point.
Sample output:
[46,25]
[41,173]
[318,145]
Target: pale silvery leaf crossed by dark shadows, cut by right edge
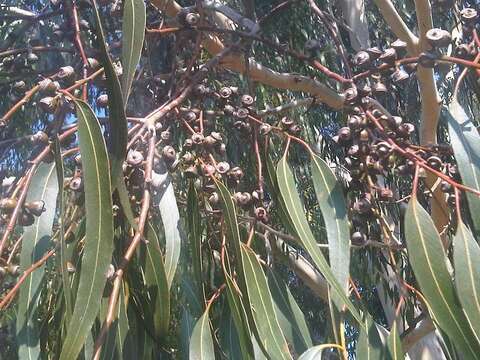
[465,142]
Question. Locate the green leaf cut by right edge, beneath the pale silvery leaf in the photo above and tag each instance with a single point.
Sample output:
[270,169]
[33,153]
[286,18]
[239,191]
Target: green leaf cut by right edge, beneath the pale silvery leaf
[466,257]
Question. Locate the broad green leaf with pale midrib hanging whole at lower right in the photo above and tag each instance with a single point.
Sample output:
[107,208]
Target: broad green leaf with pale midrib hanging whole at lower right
[428,260]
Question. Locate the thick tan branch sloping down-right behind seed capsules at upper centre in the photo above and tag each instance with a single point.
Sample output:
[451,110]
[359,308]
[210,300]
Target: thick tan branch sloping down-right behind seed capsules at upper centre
[258,72]
